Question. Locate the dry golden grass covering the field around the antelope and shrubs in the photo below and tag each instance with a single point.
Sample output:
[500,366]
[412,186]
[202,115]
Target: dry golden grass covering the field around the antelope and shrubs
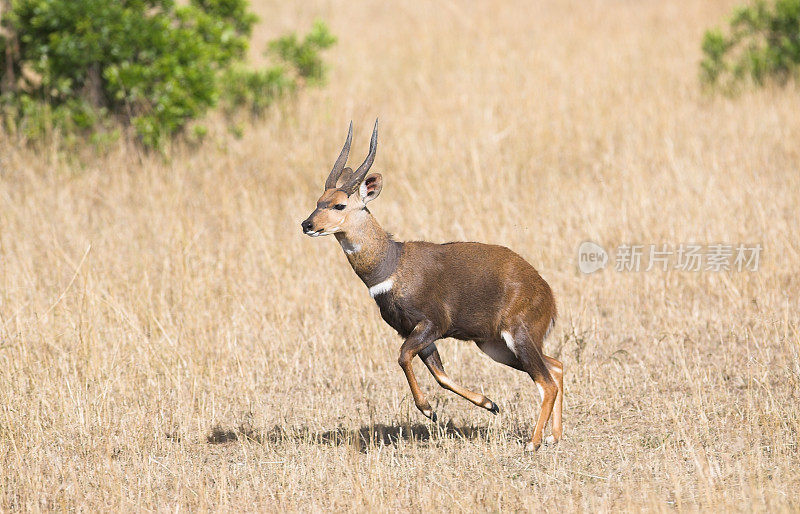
[171,341]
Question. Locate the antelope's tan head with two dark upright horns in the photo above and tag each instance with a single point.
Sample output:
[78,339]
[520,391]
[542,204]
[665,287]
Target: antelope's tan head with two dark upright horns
[346,193]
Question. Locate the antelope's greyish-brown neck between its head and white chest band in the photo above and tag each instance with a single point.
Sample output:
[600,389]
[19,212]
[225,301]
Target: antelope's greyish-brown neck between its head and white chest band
[372,253]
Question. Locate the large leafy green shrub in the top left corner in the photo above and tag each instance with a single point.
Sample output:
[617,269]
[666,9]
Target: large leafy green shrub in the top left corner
[154,65]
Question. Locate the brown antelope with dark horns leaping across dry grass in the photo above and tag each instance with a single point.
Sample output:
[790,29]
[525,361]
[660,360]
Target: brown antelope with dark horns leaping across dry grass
[425,291]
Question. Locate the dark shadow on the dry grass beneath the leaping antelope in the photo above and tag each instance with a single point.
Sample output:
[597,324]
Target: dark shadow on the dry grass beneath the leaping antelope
[362,438]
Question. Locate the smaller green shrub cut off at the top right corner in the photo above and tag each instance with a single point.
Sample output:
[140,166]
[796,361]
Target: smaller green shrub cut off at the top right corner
[763,43]
